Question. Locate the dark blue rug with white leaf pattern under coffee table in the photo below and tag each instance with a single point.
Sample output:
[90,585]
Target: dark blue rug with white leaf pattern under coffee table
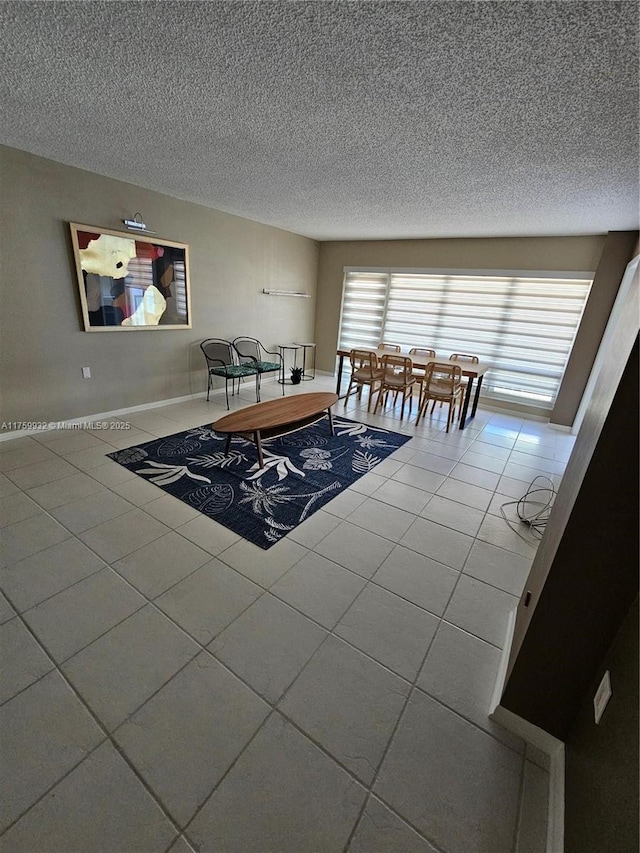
[303,470]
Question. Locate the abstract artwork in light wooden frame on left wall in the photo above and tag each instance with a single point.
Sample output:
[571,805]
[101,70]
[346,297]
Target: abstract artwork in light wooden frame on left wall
[130,282]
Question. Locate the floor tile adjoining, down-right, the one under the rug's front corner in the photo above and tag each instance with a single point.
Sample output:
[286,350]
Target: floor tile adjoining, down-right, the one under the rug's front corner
[319,588]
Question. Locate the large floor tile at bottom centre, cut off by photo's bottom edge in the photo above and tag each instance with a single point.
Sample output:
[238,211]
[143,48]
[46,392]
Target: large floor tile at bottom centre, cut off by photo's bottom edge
[282,796]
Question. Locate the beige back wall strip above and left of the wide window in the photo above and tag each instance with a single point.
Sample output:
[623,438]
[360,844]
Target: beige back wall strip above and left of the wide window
[513,253]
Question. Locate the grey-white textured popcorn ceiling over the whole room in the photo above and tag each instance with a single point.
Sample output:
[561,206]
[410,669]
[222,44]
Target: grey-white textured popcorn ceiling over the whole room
[341,120]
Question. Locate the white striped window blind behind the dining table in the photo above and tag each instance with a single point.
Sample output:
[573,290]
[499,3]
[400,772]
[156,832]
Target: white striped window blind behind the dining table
[522,325]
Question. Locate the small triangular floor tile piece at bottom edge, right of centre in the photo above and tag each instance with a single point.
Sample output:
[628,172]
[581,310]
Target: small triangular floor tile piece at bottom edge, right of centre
[381,831]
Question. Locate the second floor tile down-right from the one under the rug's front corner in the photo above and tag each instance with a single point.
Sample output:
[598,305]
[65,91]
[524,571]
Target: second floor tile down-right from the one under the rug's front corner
[389,629]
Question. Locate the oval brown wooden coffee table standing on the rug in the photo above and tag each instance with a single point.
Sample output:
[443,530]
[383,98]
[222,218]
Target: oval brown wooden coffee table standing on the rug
[265,420]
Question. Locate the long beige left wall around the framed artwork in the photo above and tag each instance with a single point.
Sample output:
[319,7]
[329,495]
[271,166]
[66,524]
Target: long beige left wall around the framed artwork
[43,345]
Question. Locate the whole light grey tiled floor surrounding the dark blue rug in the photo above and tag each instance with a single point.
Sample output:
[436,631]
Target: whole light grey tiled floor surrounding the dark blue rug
[169,686]
